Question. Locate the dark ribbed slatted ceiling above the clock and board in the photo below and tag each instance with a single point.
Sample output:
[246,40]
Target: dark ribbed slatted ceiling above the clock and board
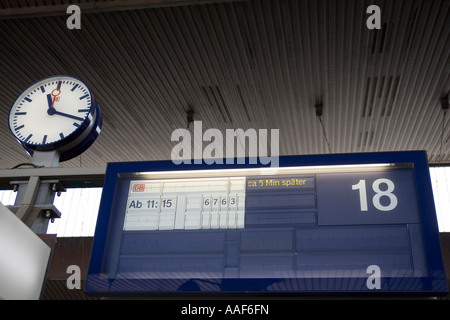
[238,64]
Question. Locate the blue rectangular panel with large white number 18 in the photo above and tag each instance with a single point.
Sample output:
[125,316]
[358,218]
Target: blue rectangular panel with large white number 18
[385,196]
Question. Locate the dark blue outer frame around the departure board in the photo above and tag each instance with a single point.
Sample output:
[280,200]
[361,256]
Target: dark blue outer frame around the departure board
[432,284]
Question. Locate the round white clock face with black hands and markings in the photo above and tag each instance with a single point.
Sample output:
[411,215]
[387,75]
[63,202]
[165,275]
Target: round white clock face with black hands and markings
[51,111]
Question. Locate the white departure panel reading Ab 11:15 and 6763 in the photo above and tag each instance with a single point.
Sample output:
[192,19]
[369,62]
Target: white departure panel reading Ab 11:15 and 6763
[203,203]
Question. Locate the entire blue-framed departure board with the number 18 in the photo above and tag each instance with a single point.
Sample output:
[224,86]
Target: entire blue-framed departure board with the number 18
[331,224]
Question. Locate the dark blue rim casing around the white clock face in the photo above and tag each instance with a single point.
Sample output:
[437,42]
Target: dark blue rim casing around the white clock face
[66,140]
